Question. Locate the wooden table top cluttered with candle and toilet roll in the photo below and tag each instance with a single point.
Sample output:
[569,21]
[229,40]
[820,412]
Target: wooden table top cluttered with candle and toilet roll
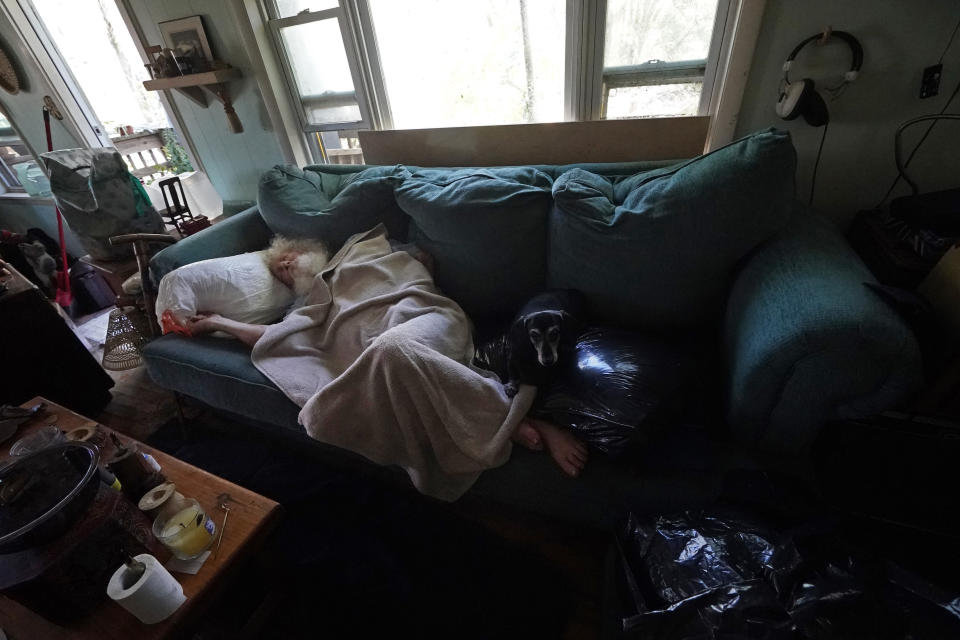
[252,516]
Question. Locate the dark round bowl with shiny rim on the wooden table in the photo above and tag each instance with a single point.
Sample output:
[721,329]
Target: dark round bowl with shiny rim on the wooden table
[41,494]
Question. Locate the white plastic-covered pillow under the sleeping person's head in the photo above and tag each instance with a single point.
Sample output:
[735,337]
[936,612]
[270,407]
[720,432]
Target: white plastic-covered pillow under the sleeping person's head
[237,287]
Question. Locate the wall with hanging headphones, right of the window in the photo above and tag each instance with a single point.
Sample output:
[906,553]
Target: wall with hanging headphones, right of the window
[899,39]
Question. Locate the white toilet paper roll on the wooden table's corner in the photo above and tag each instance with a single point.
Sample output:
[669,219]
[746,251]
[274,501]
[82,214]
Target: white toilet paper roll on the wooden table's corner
[153,597]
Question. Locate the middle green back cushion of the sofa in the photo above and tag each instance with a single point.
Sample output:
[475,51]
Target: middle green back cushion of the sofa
[486,230]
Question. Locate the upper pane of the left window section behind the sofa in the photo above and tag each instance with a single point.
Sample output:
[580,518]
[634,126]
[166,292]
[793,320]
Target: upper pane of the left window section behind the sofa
[321,71]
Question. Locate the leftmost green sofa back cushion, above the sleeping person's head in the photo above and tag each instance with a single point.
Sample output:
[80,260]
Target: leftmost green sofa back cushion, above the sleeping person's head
[309,203]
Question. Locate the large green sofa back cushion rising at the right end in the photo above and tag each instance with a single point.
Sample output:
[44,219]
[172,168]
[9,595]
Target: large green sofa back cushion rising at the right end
[658,249]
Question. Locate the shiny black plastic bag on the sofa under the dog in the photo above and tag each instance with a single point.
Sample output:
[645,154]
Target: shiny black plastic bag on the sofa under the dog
[611,394]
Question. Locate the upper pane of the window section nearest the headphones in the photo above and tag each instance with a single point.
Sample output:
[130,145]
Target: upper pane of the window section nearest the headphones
[639,31]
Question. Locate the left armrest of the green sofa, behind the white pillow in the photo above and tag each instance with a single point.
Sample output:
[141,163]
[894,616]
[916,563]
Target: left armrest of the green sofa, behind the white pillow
[241,232]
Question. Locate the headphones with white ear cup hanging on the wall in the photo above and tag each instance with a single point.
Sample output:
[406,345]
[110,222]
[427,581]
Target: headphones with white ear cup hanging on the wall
[801,98]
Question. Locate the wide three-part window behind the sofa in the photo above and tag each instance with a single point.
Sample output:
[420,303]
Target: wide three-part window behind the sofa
[434,63]
